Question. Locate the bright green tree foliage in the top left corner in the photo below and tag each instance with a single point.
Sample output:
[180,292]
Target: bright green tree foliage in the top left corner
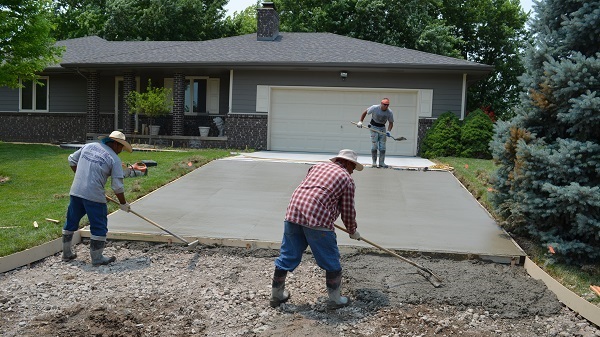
[26,47]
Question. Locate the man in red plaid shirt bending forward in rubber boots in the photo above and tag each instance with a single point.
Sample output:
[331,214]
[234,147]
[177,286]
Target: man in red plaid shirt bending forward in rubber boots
[326,192]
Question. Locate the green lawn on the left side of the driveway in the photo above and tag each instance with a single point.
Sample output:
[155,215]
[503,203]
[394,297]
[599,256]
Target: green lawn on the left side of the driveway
[35,180]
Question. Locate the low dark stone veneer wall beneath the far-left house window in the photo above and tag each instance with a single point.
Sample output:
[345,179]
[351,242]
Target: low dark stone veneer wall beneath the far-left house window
[42,127]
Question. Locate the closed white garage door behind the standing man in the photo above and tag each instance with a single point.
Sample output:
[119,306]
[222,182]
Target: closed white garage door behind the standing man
[318,119]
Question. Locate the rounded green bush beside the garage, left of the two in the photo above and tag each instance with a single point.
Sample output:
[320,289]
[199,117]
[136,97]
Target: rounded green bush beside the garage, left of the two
[443,139]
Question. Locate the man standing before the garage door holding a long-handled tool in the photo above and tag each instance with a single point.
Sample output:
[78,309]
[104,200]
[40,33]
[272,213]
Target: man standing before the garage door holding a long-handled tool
[380,114]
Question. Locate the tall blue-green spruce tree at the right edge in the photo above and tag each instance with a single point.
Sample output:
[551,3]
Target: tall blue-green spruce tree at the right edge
[549,154]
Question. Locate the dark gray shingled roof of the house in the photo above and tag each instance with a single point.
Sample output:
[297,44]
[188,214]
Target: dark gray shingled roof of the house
[288,50]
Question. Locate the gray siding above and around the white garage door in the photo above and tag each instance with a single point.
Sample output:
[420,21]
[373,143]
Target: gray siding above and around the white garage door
[447,89]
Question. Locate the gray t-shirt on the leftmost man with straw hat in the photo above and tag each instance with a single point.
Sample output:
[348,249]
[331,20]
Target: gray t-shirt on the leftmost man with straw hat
[95,163]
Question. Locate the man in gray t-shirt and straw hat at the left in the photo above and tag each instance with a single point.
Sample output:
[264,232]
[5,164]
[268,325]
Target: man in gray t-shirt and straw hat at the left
[93,164]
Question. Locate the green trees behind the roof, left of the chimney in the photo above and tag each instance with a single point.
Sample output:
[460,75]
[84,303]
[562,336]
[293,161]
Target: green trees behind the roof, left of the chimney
[139,20]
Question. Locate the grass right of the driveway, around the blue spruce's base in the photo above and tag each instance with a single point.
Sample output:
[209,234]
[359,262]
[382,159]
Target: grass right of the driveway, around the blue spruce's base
[475,174]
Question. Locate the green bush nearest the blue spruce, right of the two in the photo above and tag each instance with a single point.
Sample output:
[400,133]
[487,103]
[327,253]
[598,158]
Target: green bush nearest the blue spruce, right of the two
[476,134]
